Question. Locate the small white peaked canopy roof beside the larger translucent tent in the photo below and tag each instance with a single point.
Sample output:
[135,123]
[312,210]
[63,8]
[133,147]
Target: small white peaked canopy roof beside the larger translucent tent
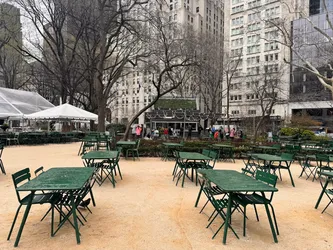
[63,112]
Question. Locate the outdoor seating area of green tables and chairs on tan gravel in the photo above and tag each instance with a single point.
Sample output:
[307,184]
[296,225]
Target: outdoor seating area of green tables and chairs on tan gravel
[97,189]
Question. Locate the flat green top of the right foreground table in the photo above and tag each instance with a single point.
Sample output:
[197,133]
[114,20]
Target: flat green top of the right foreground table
[233,181]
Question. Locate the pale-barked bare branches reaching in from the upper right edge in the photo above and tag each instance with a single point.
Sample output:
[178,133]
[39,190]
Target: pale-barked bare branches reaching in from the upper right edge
[310,37]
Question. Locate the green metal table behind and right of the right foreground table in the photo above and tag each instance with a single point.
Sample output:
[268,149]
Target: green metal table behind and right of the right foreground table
[268,162]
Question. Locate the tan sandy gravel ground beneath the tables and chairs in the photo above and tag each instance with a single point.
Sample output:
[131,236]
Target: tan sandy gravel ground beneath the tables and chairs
[147,211]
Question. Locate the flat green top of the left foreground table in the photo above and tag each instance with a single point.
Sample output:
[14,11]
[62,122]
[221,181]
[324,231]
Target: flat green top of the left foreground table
[67,178]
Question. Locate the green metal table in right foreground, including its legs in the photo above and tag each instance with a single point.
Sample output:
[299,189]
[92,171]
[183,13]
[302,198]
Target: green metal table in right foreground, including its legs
[233,182]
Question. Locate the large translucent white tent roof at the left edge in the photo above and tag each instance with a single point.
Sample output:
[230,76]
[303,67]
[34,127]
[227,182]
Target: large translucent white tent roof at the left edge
[17,103]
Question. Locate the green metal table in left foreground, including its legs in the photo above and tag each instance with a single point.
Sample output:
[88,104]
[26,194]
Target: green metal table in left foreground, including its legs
[66,179]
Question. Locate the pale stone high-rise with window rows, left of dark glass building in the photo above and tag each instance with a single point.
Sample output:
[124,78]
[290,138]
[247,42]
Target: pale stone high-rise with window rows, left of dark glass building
[252,39]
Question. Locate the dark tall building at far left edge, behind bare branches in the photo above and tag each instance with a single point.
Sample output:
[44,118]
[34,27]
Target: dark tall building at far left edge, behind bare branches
[10,36]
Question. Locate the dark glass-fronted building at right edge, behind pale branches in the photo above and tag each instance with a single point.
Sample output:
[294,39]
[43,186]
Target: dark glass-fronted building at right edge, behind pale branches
[307,95]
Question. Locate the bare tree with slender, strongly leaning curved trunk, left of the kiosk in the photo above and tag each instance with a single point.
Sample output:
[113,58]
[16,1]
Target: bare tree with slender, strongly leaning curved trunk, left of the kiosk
[170,59]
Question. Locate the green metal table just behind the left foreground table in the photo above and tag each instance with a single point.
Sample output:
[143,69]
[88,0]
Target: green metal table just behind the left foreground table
[92,156]
